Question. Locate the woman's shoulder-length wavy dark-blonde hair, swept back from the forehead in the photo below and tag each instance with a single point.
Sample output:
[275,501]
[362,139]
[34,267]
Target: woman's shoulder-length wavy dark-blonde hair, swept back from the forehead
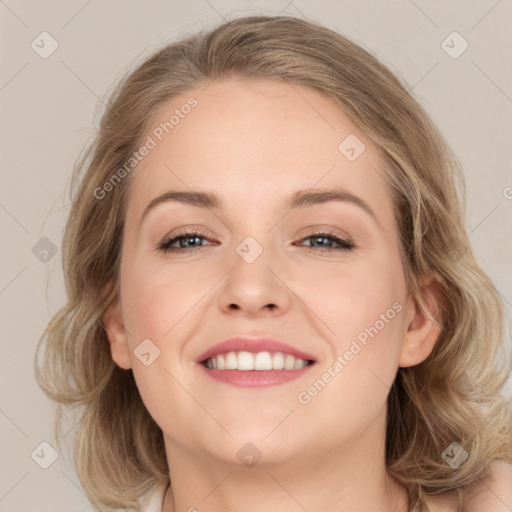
[453,396]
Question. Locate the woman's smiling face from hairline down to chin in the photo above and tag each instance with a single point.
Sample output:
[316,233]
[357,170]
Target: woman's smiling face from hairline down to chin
[259,266]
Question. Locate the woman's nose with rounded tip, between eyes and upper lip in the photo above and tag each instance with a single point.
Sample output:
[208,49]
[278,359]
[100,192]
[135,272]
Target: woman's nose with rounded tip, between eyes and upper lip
[254,288]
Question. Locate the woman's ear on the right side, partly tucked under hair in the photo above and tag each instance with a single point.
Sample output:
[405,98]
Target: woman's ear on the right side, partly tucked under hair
[423,326]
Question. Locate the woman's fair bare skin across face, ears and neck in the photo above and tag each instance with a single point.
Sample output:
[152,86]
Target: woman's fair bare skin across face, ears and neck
[253,144]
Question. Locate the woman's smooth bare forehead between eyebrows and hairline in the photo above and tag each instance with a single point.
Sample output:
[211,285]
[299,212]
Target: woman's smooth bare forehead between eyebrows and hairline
[258,141]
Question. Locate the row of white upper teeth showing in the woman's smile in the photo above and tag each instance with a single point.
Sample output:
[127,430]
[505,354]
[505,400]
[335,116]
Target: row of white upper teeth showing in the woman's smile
[245,361]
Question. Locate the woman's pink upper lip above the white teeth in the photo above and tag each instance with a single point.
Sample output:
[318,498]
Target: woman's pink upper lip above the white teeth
[254,345]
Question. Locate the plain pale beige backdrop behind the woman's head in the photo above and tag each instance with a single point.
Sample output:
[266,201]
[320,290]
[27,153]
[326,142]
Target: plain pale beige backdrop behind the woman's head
[47,112]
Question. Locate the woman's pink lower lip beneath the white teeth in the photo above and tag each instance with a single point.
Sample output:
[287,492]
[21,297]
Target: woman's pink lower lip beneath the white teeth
[255,378]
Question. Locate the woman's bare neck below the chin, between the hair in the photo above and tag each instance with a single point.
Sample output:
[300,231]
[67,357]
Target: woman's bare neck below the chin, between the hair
[349,477]
